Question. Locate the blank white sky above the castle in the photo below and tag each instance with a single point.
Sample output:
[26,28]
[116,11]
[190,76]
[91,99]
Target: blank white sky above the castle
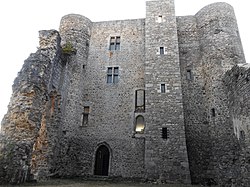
[20,21]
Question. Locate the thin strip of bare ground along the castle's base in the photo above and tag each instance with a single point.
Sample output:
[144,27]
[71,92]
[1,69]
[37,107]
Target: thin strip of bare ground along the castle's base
[78,183]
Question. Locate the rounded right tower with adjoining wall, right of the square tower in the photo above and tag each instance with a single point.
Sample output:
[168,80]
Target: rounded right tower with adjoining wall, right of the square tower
[210,49]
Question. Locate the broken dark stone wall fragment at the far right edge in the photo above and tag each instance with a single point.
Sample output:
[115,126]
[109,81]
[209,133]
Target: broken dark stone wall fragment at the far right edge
[237,88]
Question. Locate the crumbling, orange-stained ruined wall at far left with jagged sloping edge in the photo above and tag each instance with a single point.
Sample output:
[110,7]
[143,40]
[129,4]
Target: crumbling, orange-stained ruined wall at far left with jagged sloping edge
[25,125]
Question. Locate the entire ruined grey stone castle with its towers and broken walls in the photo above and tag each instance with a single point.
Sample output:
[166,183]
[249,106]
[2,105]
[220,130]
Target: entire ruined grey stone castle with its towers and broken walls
[163,98]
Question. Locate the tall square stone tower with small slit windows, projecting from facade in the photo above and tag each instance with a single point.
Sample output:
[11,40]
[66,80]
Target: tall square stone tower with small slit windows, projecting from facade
[165,157]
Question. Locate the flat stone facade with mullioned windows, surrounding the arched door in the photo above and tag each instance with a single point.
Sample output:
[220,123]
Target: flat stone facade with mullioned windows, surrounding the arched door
[111,116]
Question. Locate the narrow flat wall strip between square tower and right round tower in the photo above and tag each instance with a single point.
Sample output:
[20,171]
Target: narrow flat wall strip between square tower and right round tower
[194,101]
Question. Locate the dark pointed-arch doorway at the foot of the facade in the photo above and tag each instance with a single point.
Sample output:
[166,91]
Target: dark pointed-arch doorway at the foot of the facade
[102,161]
